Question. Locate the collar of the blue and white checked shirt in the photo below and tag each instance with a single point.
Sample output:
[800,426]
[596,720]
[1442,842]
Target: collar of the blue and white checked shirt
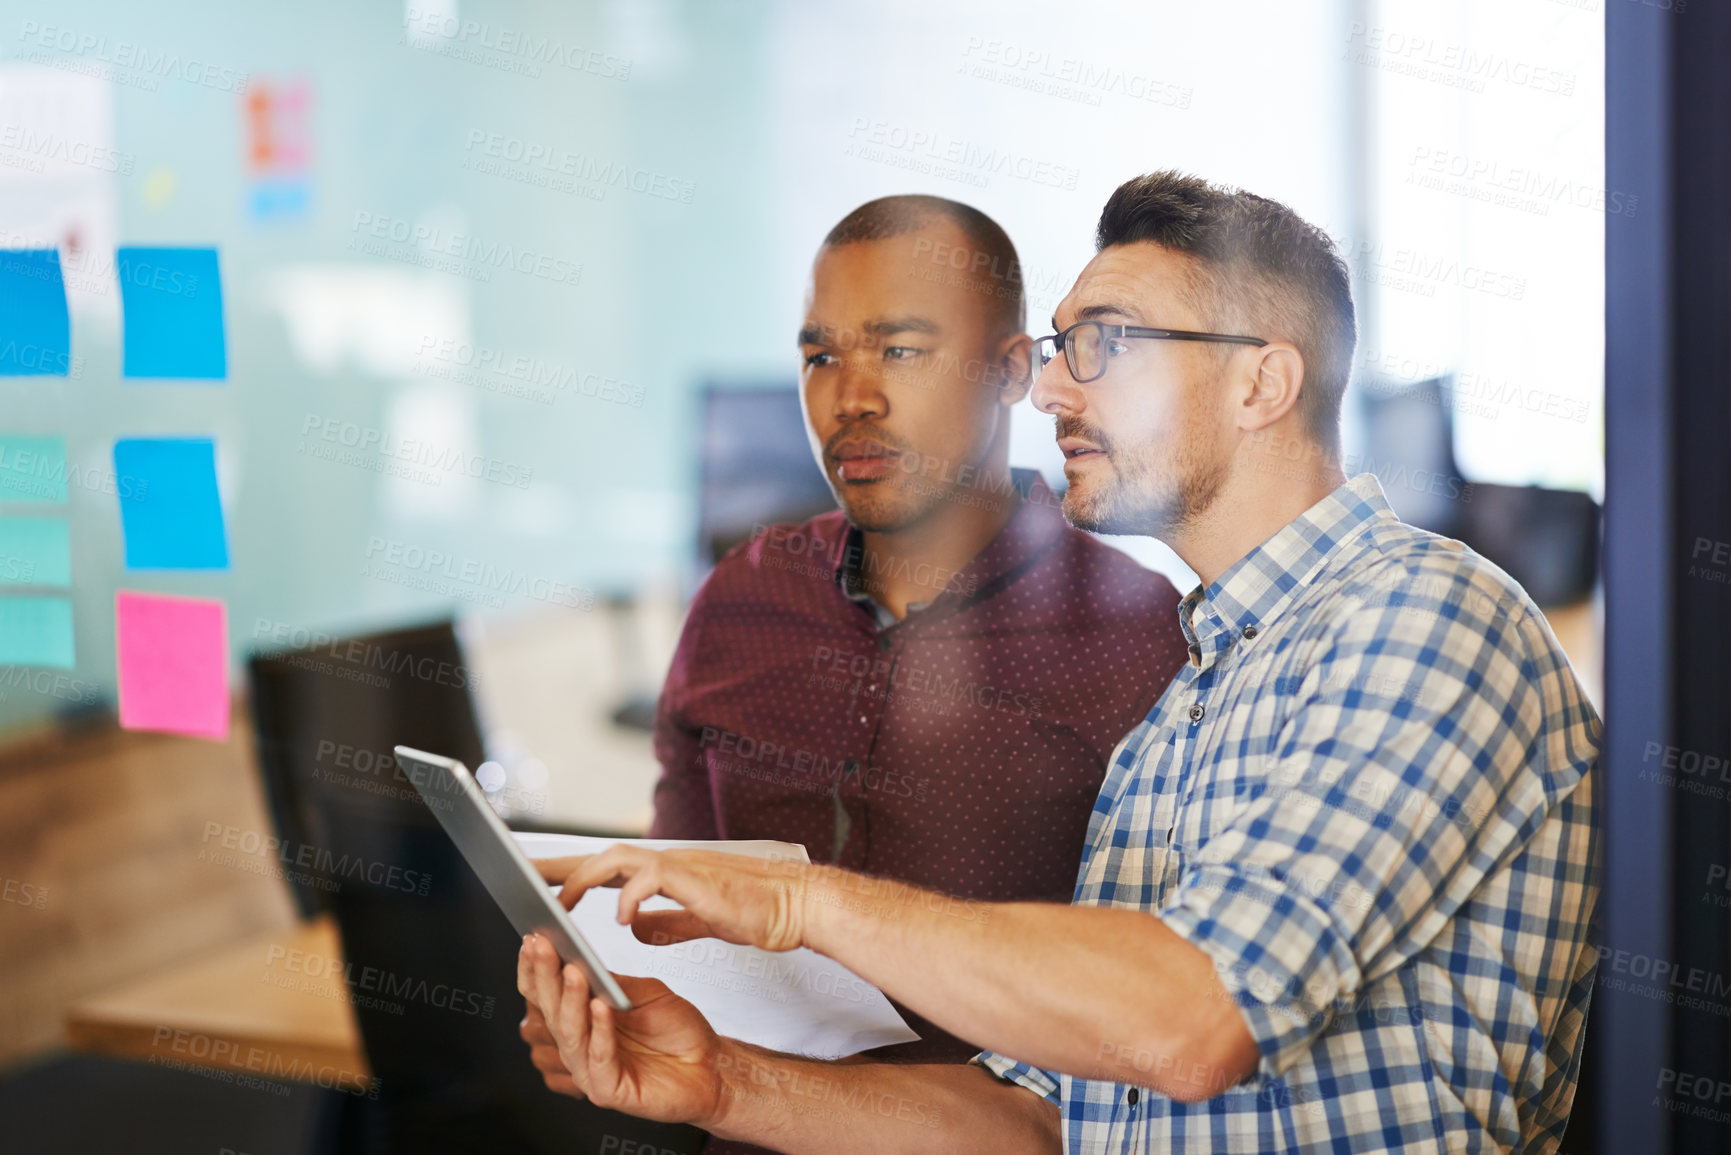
[1261,584]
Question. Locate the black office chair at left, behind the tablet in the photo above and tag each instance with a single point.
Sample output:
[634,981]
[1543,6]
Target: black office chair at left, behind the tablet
[430,958]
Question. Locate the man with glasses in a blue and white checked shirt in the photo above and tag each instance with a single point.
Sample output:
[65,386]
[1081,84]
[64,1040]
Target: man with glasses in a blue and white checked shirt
[1337,887]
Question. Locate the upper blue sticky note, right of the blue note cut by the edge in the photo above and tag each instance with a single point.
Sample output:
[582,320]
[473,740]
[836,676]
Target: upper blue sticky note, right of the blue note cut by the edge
[172,304]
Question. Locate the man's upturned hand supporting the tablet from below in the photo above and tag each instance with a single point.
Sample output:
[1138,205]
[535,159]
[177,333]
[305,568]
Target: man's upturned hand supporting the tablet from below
[657,1061]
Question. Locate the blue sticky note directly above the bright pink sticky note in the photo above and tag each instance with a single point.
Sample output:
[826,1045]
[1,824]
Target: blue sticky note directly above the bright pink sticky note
[172,515]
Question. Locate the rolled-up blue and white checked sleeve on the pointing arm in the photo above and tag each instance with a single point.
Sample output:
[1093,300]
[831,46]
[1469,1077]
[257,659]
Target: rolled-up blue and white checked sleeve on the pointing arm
[1410,770]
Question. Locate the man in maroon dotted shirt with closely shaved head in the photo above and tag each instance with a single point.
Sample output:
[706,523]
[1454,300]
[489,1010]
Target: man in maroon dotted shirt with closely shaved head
[927,683]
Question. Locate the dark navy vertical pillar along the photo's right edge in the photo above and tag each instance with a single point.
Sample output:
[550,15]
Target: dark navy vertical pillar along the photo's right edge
[1668,680]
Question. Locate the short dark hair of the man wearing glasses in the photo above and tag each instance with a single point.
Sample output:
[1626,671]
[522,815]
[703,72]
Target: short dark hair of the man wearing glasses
[1261,269]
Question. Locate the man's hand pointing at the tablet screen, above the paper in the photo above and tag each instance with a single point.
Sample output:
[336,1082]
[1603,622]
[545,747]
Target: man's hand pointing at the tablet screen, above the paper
[757,903]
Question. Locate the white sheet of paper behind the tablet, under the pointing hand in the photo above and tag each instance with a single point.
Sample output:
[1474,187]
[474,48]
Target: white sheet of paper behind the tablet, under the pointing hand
[795,1002]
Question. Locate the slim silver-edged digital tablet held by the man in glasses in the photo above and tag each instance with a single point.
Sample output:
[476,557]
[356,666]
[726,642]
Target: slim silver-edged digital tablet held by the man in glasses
[486,842]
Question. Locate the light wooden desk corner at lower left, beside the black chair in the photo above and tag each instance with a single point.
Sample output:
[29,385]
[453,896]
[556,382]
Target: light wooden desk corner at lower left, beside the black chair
[245,1010]
